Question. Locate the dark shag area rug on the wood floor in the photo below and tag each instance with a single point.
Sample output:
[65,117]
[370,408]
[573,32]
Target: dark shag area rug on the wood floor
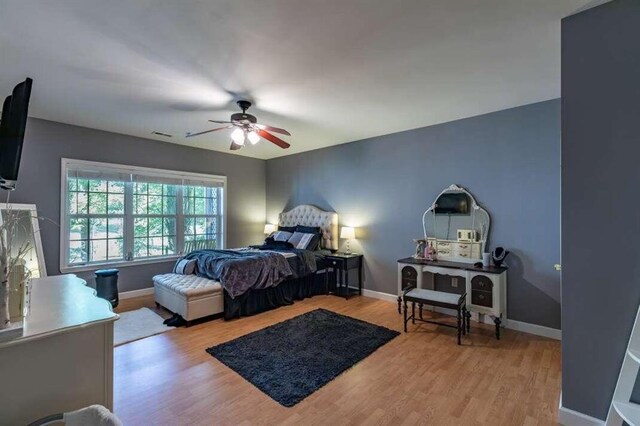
[290,360]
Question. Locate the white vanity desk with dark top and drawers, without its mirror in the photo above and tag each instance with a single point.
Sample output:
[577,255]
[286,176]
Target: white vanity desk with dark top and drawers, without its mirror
[486,288]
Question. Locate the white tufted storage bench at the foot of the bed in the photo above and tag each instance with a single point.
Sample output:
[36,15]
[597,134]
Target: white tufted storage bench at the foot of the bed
[191,296]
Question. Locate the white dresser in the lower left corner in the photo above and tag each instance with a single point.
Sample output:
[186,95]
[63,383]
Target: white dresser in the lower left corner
[64,360]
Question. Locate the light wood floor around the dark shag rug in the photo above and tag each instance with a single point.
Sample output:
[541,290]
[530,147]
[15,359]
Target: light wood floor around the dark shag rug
[421,377]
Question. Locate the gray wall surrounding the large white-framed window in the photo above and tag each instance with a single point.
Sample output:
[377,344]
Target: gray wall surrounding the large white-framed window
[47,142]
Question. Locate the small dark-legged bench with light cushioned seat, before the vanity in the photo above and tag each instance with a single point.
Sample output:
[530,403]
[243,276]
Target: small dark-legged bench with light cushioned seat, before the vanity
[439,299]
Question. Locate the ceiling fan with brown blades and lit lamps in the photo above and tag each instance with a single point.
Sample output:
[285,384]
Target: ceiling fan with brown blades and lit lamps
[247,129]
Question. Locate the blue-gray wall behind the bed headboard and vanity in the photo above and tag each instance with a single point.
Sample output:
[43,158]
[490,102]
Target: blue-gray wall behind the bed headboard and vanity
[509,160]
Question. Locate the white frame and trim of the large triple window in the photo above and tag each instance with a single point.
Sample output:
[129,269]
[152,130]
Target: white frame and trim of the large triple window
[67,163]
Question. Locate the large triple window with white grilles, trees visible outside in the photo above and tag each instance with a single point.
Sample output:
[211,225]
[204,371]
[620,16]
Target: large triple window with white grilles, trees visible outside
[114,214]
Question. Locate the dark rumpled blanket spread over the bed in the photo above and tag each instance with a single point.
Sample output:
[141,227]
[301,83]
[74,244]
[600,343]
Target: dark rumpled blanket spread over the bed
[241,270]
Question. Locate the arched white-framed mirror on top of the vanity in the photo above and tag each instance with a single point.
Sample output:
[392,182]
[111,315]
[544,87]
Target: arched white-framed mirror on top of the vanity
[456,226]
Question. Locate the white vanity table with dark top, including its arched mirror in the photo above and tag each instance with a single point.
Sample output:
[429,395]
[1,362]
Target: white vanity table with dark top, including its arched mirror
[457,228]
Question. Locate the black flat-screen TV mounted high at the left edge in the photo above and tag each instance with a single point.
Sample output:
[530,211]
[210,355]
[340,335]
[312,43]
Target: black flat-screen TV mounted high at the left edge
[14,120]
